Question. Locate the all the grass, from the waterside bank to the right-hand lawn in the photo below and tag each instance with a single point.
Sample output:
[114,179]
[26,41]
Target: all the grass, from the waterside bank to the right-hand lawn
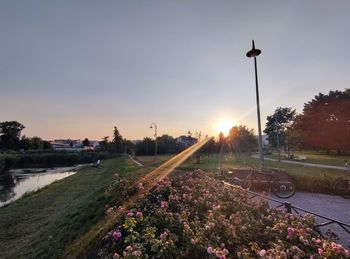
[69,215]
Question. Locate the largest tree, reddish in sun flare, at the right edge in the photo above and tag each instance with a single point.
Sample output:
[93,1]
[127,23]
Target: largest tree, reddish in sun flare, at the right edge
[325,121]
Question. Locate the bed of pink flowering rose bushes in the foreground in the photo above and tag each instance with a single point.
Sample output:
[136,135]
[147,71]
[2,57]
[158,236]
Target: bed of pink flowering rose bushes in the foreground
[194,216]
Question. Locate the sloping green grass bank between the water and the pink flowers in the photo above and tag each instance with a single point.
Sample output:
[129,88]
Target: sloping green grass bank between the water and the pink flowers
[43,224]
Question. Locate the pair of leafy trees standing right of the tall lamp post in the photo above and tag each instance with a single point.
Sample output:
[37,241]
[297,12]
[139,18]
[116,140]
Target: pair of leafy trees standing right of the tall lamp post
[324,124]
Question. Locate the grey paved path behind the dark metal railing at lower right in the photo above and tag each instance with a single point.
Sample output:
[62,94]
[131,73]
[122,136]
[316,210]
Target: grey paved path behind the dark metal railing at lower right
[331,206]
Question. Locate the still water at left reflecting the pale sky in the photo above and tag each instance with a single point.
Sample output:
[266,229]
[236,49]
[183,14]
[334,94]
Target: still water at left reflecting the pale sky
[13,186]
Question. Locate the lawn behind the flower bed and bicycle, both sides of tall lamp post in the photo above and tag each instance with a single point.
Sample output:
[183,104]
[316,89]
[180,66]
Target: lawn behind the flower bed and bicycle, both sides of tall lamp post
[305,178]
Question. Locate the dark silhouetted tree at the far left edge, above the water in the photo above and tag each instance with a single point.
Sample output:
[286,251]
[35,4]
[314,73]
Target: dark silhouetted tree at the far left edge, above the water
[10,132]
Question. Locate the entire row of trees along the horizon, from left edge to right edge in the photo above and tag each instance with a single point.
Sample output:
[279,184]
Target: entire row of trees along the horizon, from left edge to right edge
[323,124]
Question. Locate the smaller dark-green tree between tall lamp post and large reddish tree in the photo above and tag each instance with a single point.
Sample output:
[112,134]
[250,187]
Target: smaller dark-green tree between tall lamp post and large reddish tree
[280,123]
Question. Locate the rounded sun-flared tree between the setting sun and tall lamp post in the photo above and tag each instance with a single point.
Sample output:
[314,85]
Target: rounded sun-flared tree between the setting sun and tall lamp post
[241,139]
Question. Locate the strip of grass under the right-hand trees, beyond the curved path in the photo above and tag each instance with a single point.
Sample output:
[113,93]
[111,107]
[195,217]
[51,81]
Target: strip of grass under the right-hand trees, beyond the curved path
[319,158]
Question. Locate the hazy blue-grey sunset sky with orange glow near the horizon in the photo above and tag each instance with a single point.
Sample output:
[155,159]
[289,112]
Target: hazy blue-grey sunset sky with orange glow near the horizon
[75,69]
